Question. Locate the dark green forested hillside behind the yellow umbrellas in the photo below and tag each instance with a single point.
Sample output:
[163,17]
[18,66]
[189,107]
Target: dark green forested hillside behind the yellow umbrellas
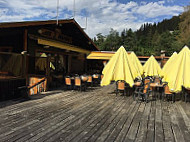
[169,35]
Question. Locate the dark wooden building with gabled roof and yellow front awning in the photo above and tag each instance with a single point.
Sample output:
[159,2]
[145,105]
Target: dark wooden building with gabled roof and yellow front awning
[50,49]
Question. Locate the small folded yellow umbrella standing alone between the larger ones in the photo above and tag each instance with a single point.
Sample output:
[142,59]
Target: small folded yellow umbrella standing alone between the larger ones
[151,67]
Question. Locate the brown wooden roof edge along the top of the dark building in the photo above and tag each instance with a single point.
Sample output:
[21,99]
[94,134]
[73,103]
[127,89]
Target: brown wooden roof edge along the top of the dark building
[68,22]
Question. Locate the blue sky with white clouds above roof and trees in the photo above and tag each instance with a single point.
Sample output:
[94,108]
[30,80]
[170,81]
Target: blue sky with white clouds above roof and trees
[101,15]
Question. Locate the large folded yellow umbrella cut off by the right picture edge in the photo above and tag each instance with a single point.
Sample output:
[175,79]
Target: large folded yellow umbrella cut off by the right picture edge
[179,75]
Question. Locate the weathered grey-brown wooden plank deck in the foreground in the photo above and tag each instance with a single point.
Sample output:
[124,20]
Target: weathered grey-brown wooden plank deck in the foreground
[96,115]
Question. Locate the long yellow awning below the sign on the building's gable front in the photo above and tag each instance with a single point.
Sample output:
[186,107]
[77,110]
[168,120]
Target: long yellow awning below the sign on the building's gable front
[61,45]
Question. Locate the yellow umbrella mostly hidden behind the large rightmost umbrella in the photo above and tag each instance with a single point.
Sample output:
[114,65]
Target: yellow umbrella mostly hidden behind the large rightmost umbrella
[168,64]
